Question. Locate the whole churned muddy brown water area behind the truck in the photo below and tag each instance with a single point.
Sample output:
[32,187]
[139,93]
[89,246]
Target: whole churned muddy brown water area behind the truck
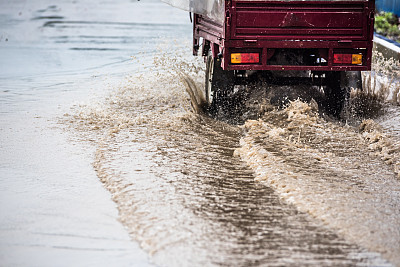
[289,189]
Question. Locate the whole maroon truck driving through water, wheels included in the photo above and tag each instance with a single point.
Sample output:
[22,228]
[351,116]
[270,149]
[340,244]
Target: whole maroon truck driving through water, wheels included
[328,43]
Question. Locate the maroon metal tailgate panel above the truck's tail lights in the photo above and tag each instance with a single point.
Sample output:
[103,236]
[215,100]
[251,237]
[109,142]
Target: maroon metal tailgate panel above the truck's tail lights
[300,20]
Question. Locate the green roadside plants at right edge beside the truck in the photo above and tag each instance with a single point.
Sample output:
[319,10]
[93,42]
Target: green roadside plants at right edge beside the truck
[387,24]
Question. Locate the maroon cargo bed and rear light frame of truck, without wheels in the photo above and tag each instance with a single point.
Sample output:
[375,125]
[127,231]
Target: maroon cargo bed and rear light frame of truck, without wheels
[318,29]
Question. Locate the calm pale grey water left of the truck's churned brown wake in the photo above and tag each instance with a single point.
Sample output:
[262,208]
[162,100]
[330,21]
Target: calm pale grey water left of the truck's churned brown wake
[54,211]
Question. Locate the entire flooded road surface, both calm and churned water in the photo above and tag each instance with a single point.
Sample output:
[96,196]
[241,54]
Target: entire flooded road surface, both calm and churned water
[289,188]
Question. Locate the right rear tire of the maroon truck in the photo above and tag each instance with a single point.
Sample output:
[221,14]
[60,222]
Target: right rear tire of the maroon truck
[338,87]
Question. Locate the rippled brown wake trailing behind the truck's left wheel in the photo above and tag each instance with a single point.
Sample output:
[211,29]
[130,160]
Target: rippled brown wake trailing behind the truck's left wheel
[182,194]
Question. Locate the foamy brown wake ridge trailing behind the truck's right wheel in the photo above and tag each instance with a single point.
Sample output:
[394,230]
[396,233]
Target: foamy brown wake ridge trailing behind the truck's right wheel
[331,171]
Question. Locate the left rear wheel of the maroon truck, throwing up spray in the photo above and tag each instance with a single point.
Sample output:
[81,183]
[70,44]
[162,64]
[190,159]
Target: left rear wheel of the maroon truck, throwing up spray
[219,83]
